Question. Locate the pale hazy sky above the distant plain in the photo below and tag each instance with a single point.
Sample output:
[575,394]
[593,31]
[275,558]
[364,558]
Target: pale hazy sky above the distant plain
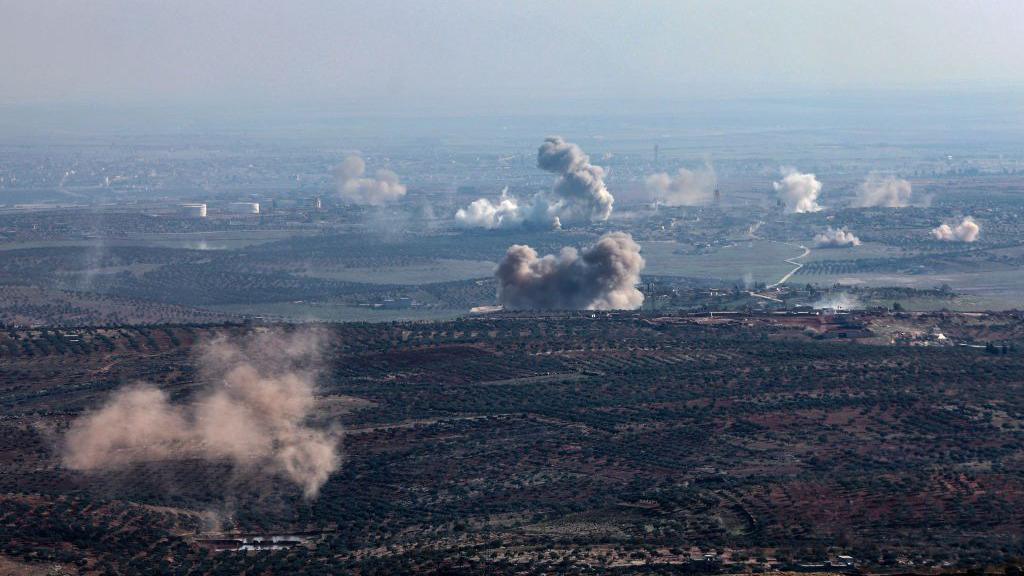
[446,56]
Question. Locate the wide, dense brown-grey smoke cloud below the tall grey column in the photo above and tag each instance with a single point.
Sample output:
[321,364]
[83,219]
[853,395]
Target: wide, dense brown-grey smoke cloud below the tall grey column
[602,277]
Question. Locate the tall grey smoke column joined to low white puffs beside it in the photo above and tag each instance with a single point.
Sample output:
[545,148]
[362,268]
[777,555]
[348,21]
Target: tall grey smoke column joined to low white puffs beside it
[579,194]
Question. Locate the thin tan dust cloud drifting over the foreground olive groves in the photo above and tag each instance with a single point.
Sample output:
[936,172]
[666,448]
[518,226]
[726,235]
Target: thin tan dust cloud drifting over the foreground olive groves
[253,416]
